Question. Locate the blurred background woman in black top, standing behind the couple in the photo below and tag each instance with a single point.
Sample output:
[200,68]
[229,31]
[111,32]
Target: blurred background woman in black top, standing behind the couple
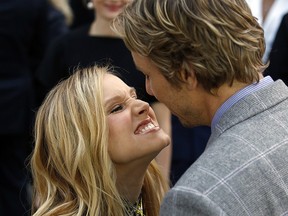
[96,42]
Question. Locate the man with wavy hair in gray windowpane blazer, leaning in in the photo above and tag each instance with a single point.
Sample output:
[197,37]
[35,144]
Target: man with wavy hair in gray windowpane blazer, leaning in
[203,59]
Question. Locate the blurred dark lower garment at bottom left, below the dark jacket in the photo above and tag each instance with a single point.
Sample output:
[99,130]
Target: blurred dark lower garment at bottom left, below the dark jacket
[14,189]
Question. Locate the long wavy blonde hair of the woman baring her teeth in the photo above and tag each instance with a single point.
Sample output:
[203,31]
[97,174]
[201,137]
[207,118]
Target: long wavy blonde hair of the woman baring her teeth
[72,171]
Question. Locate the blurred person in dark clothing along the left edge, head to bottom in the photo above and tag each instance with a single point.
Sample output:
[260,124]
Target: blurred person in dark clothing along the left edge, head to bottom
[26,28]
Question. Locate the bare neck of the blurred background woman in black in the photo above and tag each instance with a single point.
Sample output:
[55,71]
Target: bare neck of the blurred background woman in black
[101,28]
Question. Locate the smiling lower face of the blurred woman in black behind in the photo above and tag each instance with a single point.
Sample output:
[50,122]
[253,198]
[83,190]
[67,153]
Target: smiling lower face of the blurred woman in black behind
[109,9]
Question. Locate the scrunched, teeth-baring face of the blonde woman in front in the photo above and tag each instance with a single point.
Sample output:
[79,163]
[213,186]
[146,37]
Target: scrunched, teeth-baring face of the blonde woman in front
[134,133]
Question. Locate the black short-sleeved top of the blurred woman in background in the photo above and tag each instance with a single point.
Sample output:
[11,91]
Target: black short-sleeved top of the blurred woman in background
[78,49]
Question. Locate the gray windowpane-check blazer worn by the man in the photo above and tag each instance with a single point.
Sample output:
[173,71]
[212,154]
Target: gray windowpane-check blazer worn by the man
[244,168]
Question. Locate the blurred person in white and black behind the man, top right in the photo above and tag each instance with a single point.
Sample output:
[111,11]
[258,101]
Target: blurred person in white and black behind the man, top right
[271,16]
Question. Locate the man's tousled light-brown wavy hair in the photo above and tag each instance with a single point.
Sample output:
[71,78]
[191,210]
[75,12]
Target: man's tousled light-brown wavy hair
[219,39]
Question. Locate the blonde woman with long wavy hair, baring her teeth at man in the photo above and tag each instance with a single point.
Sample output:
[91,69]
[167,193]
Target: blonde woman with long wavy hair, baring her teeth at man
[95,145]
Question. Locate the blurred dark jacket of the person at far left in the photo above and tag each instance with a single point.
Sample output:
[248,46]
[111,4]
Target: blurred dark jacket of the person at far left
[26,27]
